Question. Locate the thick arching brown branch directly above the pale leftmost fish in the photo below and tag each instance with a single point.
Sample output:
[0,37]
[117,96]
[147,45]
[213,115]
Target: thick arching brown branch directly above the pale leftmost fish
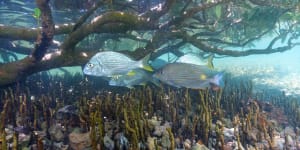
[110,22]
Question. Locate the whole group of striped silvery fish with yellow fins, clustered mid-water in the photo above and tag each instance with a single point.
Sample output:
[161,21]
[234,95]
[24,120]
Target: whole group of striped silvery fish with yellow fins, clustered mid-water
[188,71]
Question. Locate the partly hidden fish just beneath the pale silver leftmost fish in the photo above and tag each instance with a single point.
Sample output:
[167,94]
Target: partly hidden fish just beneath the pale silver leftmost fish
[134,77]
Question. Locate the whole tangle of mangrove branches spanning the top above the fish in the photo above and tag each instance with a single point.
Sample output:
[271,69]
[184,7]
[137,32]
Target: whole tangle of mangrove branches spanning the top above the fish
[164,26]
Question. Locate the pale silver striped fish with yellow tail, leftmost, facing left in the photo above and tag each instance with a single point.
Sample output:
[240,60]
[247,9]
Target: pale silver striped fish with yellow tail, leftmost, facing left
[111,63]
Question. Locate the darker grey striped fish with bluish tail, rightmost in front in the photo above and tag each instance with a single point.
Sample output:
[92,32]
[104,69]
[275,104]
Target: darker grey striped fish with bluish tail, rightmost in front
[189,76]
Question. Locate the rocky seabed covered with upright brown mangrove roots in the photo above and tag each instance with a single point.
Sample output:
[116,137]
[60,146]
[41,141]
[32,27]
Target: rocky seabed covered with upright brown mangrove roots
[76,113]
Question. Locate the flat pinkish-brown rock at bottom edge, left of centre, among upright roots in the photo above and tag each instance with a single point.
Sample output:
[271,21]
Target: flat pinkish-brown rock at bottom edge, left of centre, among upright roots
[79,141]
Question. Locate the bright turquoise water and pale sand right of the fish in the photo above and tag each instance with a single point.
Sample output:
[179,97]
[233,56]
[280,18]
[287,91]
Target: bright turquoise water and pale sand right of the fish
[278,71]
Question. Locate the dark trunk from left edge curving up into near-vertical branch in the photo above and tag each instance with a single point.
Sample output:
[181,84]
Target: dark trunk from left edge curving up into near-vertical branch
[15,71]
